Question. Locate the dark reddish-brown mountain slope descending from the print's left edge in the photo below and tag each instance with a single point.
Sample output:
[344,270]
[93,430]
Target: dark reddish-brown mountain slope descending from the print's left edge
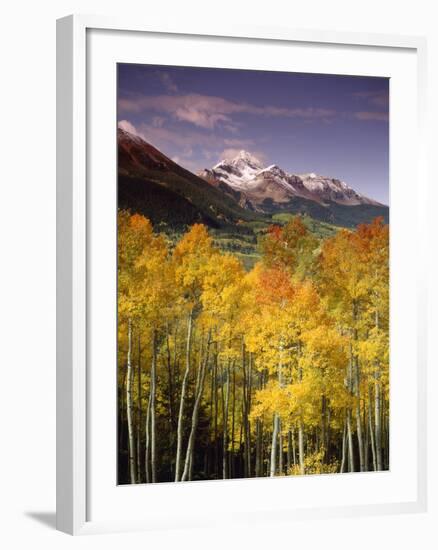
[152,184]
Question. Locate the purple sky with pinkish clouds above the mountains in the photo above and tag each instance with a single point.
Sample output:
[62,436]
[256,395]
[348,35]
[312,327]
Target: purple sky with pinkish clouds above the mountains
[332,125]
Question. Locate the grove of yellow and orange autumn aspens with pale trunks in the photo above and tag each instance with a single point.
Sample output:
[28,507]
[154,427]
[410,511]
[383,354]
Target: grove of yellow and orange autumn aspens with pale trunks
[227,373]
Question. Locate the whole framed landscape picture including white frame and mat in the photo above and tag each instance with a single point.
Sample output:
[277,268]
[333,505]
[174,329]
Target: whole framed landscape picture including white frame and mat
[239,322]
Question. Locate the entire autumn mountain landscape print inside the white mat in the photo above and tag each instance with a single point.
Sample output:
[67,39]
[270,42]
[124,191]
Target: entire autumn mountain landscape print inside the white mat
[253,274]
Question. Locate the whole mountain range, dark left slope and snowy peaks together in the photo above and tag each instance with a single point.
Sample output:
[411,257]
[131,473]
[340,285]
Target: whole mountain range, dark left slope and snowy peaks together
[231,194]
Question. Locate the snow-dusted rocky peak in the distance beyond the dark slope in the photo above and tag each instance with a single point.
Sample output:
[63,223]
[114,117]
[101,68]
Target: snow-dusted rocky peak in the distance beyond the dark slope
[258,184]
